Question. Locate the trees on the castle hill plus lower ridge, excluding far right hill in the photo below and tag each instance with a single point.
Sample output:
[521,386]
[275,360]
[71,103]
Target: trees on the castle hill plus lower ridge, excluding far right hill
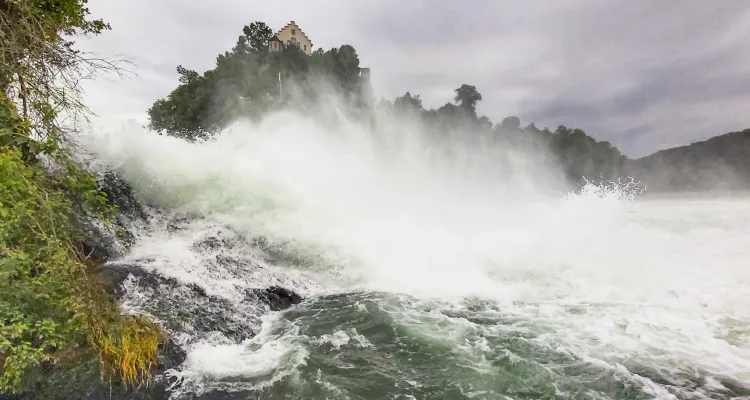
[245,83]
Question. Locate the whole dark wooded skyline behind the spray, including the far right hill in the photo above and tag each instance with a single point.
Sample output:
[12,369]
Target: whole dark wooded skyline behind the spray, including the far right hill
[246,82]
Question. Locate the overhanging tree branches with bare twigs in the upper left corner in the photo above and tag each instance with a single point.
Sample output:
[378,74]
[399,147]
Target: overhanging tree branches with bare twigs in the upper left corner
[40,69]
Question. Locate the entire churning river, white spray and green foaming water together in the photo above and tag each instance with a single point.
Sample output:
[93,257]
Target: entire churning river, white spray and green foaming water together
[424,275]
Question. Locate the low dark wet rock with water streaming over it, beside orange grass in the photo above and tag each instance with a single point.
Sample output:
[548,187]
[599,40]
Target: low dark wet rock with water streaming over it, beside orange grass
[181,308]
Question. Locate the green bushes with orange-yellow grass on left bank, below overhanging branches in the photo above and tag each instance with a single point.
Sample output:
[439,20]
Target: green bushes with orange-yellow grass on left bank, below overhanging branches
[50,303]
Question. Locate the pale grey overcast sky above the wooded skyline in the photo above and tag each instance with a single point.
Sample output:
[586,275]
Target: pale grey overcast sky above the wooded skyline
[643,74]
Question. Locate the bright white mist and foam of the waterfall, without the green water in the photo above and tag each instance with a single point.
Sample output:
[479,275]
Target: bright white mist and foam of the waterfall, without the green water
[656,279]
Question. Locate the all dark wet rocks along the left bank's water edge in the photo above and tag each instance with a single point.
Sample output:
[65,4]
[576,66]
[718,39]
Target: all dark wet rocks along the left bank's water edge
[183,310]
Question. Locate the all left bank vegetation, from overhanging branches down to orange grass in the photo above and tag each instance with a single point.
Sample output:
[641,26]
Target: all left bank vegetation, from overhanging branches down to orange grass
[54,310]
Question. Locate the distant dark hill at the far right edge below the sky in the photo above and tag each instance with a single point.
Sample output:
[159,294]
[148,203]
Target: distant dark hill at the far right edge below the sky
[719,163]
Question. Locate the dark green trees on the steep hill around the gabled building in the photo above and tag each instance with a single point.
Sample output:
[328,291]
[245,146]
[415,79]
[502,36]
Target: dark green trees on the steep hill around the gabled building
[246,83]
